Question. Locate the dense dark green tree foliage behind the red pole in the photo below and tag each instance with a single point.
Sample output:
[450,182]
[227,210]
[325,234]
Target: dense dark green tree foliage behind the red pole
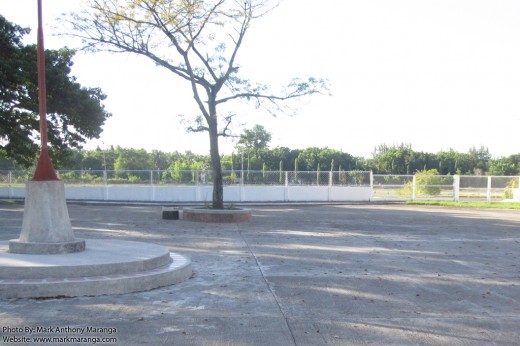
[74,113]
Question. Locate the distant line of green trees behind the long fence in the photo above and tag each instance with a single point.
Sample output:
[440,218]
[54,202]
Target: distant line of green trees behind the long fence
[396,159]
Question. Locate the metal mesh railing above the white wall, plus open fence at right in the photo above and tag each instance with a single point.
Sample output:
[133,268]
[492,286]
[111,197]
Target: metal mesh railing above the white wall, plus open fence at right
[383,186]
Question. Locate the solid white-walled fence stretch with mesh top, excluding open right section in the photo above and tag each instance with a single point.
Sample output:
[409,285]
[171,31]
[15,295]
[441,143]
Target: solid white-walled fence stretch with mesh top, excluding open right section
[295,187]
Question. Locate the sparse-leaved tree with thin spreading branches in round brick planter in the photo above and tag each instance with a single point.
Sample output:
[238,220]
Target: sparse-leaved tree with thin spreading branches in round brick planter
[198,41]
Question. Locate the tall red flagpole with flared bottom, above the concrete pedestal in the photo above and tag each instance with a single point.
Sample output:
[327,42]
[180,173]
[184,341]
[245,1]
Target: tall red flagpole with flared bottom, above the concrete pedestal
[44,168]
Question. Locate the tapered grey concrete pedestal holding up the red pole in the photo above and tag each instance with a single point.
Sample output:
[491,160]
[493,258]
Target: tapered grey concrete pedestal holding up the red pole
[46,227]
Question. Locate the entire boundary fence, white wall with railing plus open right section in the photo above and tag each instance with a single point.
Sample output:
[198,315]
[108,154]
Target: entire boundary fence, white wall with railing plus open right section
[270,186]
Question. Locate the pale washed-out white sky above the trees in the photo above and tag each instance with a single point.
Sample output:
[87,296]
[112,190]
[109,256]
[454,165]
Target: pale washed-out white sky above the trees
[437,74]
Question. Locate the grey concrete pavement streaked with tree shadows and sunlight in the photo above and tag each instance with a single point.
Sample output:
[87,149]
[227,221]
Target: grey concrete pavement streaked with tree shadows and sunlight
[299,275]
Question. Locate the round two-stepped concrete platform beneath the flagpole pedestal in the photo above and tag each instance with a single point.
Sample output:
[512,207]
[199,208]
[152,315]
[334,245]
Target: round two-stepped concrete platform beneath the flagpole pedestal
[105,267]
